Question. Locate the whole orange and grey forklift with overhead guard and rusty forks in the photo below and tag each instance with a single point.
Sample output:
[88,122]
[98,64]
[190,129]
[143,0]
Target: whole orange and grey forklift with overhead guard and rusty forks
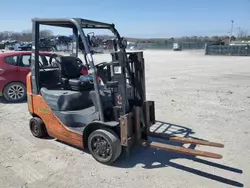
[77,110]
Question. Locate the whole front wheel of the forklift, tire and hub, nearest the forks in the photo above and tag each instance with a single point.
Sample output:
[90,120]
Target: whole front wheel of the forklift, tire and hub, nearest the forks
[104,145]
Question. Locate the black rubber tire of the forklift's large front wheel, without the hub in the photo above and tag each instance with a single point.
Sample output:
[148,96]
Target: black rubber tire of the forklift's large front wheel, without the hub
[112,139]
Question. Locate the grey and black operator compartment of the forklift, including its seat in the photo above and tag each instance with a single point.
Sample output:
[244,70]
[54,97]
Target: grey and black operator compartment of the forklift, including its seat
[70,95]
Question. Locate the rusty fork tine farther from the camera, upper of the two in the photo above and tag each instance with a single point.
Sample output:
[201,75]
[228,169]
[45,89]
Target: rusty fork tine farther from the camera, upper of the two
[187,140]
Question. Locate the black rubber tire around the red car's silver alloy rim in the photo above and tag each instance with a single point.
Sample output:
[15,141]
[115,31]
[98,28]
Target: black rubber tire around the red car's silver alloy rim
[12,85]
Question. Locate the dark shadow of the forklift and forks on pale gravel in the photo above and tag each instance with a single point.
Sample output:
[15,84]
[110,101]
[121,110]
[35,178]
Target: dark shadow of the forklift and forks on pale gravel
[148,157]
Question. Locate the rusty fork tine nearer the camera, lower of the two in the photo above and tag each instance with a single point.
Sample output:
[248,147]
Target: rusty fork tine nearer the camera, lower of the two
[182,150]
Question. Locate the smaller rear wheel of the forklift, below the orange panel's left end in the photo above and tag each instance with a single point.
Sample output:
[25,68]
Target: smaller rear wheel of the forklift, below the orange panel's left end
[37,127]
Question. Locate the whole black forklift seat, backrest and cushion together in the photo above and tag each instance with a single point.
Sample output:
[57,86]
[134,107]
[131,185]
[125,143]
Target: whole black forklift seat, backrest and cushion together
[71,77]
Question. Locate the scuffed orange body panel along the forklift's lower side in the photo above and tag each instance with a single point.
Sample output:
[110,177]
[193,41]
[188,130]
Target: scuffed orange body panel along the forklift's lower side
[54,126]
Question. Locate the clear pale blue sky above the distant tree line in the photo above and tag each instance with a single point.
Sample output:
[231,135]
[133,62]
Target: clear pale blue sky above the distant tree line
[135,18]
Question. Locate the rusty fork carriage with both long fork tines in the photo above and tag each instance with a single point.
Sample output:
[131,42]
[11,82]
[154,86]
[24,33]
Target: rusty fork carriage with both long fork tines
[135,130]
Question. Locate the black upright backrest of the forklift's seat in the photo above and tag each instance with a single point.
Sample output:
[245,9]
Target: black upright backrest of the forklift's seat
[69,67]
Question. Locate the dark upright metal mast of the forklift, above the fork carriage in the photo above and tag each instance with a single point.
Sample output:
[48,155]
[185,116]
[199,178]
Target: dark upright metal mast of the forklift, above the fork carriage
[127,72]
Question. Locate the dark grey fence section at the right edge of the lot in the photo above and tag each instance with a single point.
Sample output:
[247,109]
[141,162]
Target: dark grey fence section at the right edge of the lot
[230,50]
